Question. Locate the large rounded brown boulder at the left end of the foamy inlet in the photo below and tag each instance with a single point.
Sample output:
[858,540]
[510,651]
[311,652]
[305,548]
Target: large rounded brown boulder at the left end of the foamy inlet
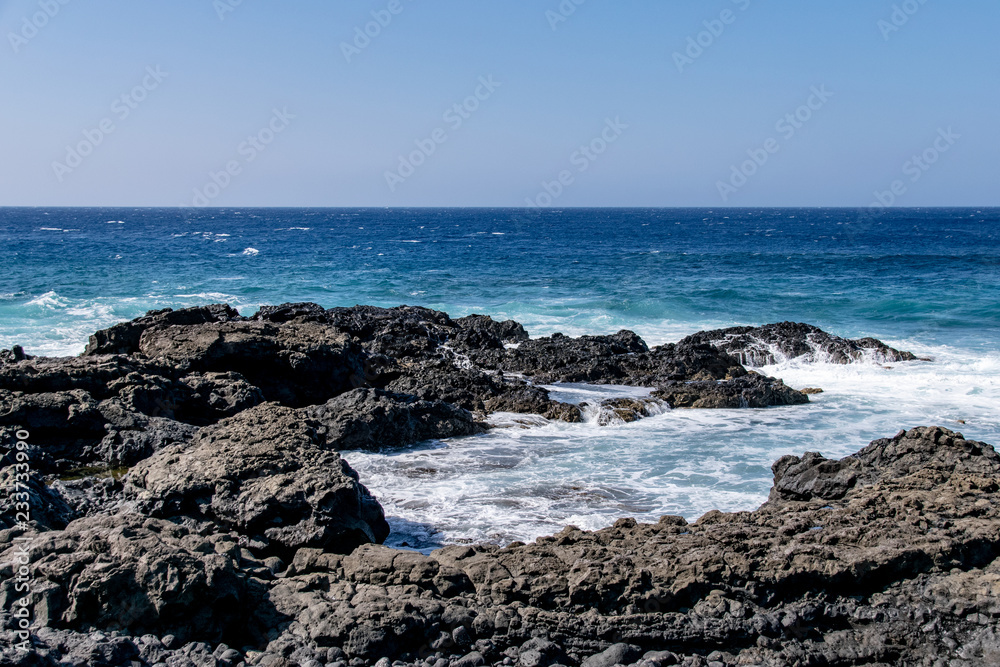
[267,473]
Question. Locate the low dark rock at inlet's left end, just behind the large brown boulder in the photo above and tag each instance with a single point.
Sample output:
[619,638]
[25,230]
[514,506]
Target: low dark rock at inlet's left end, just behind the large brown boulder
[374,419]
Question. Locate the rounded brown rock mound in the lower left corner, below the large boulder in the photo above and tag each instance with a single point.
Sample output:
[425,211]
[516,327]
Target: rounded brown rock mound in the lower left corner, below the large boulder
[134,574]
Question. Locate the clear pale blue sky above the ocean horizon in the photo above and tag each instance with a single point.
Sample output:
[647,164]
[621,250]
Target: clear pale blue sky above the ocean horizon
[552,103]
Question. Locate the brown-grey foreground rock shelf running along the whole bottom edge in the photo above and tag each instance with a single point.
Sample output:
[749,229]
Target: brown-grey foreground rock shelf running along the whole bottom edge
[889,556]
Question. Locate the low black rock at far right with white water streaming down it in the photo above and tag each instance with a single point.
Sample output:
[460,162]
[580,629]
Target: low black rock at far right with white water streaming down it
[758,346]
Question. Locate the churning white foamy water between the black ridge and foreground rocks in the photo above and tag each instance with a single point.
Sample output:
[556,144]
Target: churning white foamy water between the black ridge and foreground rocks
[530,476]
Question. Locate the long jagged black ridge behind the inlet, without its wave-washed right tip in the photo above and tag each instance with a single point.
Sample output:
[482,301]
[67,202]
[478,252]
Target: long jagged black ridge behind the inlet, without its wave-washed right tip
[152,382]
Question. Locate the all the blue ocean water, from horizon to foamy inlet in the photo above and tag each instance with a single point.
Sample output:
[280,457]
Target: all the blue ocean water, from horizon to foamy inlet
[927,280]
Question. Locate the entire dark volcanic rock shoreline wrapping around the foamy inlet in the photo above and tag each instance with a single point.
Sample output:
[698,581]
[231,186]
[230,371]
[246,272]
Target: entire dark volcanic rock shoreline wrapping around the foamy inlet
[184,503]
